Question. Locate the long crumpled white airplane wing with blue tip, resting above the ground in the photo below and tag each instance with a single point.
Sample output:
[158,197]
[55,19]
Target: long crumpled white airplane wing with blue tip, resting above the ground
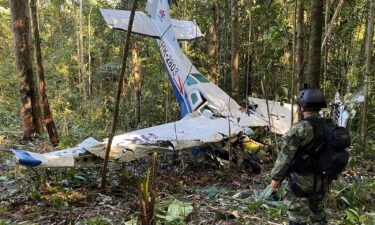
[193,130]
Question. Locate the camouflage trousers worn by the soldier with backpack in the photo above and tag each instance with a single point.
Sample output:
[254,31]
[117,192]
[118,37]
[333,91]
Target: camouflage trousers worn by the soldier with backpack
[301,210]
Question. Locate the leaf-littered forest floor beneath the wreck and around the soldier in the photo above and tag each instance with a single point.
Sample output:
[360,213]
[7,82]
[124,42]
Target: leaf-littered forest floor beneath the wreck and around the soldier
[216,195]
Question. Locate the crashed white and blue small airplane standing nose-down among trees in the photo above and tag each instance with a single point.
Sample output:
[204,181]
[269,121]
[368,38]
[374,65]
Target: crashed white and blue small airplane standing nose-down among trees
[210,117]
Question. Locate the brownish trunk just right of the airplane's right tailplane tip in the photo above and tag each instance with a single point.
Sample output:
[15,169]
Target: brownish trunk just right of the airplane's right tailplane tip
[214,45]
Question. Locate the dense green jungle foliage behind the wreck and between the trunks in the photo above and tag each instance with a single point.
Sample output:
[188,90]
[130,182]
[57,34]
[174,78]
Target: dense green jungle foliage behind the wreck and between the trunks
[266,51]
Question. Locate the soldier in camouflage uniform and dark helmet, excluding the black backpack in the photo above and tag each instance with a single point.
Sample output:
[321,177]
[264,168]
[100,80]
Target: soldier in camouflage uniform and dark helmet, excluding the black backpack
[304,204]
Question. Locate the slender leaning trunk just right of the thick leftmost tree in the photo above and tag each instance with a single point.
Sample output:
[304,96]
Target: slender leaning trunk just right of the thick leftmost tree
[48,119]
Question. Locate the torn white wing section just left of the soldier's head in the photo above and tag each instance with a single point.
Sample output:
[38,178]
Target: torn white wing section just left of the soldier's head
[279,115]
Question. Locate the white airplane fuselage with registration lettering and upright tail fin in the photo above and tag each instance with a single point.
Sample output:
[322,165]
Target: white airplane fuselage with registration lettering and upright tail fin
[192,89]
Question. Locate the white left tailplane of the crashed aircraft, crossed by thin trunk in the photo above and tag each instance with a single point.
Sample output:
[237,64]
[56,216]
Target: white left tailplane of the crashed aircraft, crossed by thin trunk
[119,19]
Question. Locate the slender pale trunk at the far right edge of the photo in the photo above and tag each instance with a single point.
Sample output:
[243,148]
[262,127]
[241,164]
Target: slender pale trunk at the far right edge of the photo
[369,47]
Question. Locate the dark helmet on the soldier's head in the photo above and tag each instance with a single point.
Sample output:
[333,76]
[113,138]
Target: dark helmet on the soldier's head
[311,99]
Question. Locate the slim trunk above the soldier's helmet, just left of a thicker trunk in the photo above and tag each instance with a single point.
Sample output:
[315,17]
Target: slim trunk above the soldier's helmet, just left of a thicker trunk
[300,46]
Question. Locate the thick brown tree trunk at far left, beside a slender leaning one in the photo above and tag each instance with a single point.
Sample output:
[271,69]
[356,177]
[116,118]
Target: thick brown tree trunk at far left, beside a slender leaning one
[22,48]
